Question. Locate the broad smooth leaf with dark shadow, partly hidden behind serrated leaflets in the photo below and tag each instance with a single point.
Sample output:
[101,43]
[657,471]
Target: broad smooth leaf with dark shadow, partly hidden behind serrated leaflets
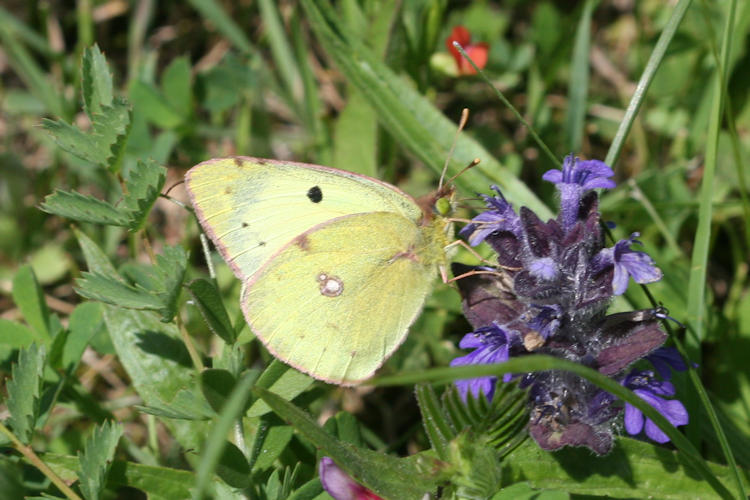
[145,347]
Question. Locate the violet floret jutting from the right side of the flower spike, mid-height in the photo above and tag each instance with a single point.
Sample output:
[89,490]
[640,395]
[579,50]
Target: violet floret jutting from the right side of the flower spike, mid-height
[627,263]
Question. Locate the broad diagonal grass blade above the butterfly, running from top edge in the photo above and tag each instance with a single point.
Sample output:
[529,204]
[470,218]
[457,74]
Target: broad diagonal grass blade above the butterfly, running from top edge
[410,117]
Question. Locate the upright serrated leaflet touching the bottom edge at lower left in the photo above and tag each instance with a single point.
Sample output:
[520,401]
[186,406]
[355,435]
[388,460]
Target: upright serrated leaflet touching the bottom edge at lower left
[96,459]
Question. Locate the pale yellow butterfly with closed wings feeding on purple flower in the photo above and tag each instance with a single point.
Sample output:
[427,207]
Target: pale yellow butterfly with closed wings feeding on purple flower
[335,265]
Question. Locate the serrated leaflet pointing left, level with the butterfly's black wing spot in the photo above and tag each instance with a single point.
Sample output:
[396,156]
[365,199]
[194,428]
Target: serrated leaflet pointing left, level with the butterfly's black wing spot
[82,208]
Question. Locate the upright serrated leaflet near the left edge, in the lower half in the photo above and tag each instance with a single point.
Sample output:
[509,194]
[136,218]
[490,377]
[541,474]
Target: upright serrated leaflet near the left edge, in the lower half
[23,391]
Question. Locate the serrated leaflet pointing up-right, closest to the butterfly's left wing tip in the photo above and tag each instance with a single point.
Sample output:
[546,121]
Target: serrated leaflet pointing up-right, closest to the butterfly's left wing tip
[144,183]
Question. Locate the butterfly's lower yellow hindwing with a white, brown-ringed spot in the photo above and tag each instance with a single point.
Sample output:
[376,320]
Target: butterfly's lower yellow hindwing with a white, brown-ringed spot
[344,294]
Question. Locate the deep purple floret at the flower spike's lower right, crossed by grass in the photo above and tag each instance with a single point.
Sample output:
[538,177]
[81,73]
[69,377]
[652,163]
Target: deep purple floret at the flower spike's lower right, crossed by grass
[651,391]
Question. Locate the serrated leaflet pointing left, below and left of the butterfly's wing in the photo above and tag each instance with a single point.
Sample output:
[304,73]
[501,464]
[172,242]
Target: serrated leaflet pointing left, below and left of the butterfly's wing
[113,291]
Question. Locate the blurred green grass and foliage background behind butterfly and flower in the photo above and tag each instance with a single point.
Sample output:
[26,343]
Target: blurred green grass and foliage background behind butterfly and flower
[374,90]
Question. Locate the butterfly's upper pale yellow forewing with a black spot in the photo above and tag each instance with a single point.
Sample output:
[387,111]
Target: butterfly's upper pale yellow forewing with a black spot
[252,207]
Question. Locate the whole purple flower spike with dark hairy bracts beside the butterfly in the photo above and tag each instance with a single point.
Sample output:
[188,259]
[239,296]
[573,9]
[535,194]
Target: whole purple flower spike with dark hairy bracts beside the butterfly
[549,294]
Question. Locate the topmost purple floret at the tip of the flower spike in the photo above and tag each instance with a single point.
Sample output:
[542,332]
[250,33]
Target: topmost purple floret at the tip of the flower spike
[574,180]
